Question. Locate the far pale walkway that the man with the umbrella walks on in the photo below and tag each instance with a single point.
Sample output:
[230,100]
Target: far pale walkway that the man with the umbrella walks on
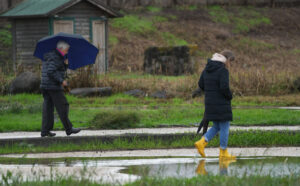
[174,130]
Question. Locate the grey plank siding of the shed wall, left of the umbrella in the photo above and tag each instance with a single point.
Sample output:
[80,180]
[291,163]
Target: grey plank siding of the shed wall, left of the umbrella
[27,33]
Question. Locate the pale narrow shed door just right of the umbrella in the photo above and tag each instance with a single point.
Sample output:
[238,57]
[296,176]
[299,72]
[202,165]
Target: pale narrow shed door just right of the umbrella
[99,40]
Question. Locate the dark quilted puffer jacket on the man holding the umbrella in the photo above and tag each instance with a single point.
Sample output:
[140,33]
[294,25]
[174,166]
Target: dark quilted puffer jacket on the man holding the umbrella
[53,71]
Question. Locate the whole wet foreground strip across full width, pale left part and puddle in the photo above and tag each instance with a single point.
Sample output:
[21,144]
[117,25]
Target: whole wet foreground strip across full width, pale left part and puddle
[124,170]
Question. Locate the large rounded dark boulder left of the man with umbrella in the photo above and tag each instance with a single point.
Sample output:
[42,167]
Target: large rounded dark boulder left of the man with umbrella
[26,82]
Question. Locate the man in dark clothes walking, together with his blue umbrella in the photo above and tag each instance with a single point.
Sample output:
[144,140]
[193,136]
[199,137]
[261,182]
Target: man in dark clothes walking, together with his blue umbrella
[58,53]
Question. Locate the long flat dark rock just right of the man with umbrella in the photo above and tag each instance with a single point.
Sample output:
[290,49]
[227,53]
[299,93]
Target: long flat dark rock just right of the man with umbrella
[86,92]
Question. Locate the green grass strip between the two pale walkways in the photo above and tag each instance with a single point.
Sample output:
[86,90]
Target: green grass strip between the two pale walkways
[236,139]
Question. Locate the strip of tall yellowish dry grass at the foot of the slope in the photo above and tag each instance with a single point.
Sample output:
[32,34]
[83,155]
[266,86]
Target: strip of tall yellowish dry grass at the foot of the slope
[243,82]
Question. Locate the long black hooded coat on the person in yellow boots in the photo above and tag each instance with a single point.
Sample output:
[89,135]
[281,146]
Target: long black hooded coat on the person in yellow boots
[214,81]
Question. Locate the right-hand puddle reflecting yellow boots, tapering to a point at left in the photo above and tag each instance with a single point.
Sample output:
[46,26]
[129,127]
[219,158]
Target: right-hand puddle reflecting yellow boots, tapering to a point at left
[275,167]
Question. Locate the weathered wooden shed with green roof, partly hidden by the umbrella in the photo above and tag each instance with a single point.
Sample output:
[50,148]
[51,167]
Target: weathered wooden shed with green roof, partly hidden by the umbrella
[35,19]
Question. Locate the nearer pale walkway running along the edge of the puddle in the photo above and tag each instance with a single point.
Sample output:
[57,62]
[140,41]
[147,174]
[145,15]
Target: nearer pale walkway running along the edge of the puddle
[210,152]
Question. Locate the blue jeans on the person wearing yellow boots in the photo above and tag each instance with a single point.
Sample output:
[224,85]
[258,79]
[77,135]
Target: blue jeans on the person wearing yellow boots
[223,127]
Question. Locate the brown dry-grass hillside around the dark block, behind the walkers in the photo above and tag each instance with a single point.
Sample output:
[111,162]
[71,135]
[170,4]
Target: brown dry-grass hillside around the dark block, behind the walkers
[267,60]
